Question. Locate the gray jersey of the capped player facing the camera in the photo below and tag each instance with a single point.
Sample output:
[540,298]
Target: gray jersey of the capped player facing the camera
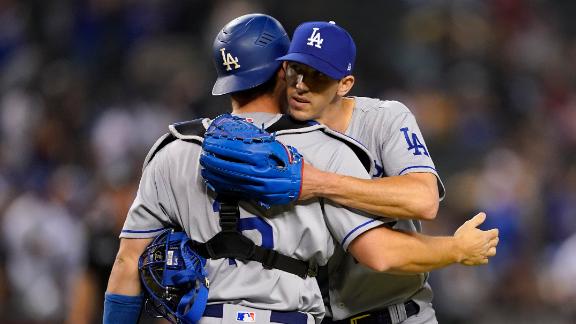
[390,132]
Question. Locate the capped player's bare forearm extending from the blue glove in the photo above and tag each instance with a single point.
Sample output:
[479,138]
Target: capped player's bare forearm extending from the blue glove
[409,196]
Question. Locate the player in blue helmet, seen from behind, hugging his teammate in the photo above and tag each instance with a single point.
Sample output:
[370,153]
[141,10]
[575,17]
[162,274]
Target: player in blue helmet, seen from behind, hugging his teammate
[172,193]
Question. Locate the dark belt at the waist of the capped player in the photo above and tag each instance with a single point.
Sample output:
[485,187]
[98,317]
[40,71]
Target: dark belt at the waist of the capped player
[385,316]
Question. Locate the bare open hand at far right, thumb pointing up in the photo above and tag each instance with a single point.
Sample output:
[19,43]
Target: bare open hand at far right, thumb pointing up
[474,245]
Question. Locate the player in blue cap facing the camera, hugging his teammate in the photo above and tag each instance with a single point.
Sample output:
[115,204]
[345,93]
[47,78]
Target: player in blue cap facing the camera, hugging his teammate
[406,185]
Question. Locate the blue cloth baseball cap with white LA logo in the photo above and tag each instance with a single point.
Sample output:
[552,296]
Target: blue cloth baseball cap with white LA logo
[324,46]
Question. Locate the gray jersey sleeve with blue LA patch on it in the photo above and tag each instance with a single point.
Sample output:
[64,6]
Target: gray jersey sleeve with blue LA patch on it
[404,149]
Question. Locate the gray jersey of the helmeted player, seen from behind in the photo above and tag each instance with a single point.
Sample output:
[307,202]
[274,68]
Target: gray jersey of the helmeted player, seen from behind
[172,192]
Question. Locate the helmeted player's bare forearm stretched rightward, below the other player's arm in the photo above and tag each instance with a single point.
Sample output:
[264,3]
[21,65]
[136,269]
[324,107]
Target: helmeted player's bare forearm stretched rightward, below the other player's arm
[397,252]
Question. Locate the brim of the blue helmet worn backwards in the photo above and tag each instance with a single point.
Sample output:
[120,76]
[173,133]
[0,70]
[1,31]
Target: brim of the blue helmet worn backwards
[244,80]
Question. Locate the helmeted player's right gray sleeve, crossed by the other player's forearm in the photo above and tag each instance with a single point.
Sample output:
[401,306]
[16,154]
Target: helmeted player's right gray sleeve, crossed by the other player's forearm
[347,224]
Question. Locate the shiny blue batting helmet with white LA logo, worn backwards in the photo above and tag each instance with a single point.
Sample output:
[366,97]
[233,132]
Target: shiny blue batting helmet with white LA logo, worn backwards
[245,52]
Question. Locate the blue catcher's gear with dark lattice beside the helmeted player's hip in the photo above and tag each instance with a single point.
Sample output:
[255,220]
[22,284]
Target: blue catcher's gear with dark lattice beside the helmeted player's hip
[174,278]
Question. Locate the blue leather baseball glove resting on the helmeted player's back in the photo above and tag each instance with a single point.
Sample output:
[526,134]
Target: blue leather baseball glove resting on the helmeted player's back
[244,161]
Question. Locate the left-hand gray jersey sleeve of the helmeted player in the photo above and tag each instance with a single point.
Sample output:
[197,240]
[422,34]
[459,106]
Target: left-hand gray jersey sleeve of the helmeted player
[149,213]
